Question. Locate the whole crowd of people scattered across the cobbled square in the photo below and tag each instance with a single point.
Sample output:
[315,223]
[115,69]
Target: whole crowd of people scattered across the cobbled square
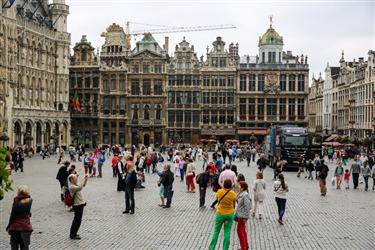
[235,199]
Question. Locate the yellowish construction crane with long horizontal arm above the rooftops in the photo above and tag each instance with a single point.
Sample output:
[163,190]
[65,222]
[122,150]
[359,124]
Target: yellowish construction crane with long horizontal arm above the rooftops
[171,29]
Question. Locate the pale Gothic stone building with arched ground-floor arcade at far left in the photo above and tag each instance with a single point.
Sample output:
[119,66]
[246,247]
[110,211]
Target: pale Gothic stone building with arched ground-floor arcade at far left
[36,46]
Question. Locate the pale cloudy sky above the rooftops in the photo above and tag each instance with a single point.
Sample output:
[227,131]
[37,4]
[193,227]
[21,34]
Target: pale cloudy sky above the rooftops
[319,28]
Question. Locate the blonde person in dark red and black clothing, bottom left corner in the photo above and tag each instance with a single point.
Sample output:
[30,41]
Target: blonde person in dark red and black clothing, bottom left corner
[19,227]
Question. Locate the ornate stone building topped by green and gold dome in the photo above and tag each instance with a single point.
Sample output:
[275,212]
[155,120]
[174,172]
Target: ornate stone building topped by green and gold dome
[272,88]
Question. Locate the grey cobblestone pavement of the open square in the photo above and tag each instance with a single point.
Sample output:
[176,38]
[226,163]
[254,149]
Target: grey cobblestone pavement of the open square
[344,219]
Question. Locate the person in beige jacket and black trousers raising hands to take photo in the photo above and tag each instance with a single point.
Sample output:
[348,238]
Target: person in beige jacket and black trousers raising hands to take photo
[78,204]
